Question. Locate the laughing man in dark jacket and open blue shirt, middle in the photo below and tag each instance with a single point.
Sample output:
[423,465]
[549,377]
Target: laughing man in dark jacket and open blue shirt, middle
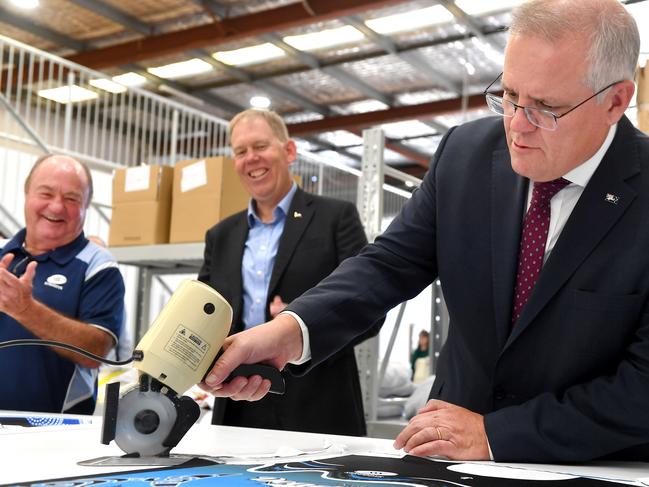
[285,243]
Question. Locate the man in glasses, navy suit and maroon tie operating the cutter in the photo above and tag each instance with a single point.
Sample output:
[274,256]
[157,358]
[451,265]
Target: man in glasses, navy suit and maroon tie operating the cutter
[543,363]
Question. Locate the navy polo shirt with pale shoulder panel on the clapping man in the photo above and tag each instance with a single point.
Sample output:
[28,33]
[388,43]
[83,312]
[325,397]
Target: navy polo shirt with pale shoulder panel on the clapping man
[88,287]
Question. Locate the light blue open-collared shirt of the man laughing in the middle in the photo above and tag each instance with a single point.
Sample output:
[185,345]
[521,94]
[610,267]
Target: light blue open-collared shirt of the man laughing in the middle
[259,259]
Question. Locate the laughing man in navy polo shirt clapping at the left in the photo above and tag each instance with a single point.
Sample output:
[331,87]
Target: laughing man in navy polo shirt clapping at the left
[56,285]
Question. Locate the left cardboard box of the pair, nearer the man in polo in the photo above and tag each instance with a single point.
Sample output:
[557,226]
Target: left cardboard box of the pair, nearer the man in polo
[141,205]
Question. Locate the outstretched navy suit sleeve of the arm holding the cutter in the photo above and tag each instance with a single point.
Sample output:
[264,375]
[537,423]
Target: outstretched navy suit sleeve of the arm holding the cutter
[396,267]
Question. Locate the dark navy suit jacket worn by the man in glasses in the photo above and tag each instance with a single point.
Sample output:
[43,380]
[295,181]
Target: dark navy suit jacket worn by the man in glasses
[571,381]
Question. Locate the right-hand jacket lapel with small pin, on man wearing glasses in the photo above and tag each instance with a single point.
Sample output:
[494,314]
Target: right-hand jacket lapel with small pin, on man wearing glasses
[593,216]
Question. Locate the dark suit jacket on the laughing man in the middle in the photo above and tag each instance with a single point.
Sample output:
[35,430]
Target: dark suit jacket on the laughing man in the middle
[319,233]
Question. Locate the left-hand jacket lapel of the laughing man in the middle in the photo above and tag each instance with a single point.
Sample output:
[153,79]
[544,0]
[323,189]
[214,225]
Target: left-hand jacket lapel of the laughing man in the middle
[231,266]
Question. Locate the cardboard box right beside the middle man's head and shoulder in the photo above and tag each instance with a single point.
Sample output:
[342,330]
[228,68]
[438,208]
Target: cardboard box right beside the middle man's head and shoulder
[205,191]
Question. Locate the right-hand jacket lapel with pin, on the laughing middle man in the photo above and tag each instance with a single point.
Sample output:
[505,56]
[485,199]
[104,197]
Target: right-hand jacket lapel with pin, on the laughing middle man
[297,220]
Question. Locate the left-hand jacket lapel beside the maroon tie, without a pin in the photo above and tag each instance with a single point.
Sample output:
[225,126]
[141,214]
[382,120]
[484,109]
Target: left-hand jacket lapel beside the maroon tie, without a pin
[507,206]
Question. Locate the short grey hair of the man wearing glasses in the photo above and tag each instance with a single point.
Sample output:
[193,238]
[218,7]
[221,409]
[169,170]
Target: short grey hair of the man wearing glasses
[610,30]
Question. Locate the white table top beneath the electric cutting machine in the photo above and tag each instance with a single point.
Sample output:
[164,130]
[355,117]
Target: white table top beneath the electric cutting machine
[48,452]
